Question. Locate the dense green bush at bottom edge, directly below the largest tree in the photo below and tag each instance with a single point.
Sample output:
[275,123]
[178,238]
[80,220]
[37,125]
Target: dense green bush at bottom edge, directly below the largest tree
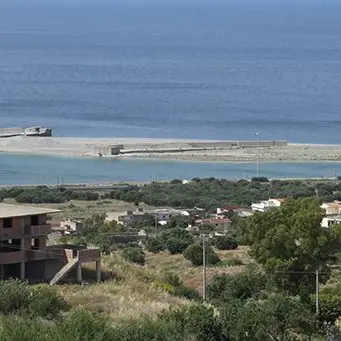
[277,318]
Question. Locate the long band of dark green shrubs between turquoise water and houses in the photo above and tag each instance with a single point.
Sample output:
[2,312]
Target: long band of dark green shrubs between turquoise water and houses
[207,193]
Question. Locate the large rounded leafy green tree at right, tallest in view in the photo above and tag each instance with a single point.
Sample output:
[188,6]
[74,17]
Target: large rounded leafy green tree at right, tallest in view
[291,244]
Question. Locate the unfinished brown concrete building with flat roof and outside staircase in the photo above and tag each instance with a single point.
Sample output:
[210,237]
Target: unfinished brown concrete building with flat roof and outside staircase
[24,253]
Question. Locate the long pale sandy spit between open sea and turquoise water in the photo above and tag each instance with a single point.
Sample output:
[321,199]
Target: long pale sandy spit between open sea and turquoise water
[178,149]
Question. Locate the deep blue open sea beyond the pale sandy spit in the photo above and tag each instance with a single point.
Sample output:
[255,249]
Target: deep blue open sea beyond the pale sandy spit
[185,69]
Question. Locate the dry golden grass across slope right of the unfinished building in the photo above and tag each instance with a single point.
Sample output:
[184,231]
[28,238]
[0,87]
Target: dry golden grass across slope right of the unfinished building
[131,293]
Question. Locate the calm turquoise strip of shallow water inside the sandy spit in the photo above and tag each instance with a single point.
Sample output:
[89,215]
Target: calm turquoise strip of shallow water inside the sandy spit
[28,169]
